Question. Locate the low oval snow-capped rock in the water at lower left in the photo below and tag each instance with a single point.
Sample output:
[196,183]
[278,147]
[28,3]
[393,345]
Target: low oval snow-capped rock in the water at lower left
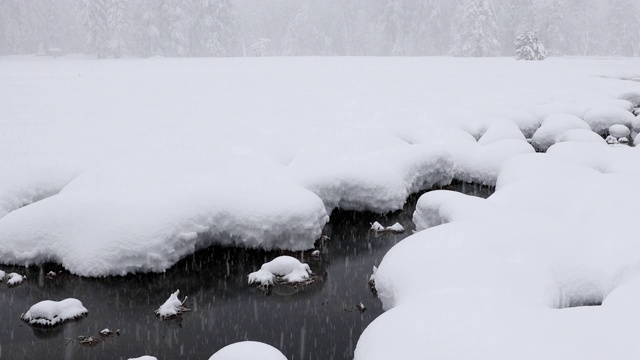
[51,313]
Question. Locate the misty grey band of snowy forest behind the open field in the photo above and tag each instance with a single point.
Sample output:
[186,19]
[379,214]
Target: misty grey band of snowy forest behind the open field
[176,28]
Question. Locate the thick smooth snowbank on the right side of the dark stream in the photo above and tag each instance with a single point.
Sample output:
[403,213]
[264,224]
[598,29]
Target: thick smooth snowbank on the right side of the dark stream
[510,276]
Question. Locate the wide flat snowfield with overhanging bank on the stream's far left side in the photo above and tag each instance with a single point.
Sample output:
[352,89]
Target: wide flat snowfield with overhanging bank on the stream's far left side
[118,166]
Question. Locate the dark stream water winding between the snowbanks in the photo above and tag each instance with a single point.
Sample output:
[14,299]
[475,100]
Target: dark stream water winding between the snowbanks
[316,322]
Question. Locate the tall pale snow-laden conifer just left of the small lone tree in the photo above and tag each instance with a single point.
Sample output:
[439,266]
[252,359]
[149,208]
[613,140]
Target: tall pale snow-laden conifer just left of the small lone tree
[476,30]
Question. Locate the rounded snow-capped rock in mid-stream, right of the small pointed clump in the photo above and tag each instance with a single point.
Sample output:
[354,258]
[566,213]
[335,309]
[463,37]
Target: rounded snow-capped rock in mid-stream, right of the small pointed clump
[283,268]
